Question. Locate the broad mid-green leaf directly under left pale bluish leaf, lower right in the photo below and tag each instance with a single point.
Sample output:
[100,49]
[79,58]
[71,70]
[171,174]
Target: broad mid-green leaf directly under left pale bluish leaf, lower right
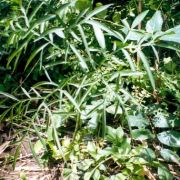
[142,134]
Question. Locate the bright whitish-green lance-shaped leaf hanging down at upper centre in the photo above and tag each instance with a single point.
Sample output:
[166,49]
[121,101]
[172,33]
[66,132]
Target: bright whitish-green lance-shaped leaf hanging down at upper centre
[99,36]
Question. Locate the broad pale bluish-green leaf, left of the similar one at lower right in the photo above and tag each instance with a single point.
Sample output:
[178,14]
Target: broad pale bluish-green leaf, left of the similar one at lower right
[138,121]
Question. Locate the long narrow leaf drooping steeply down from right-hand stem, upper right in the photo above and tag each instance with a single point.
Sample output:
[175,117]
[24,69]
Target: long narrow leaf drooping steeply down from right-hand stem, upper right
[147,67]
